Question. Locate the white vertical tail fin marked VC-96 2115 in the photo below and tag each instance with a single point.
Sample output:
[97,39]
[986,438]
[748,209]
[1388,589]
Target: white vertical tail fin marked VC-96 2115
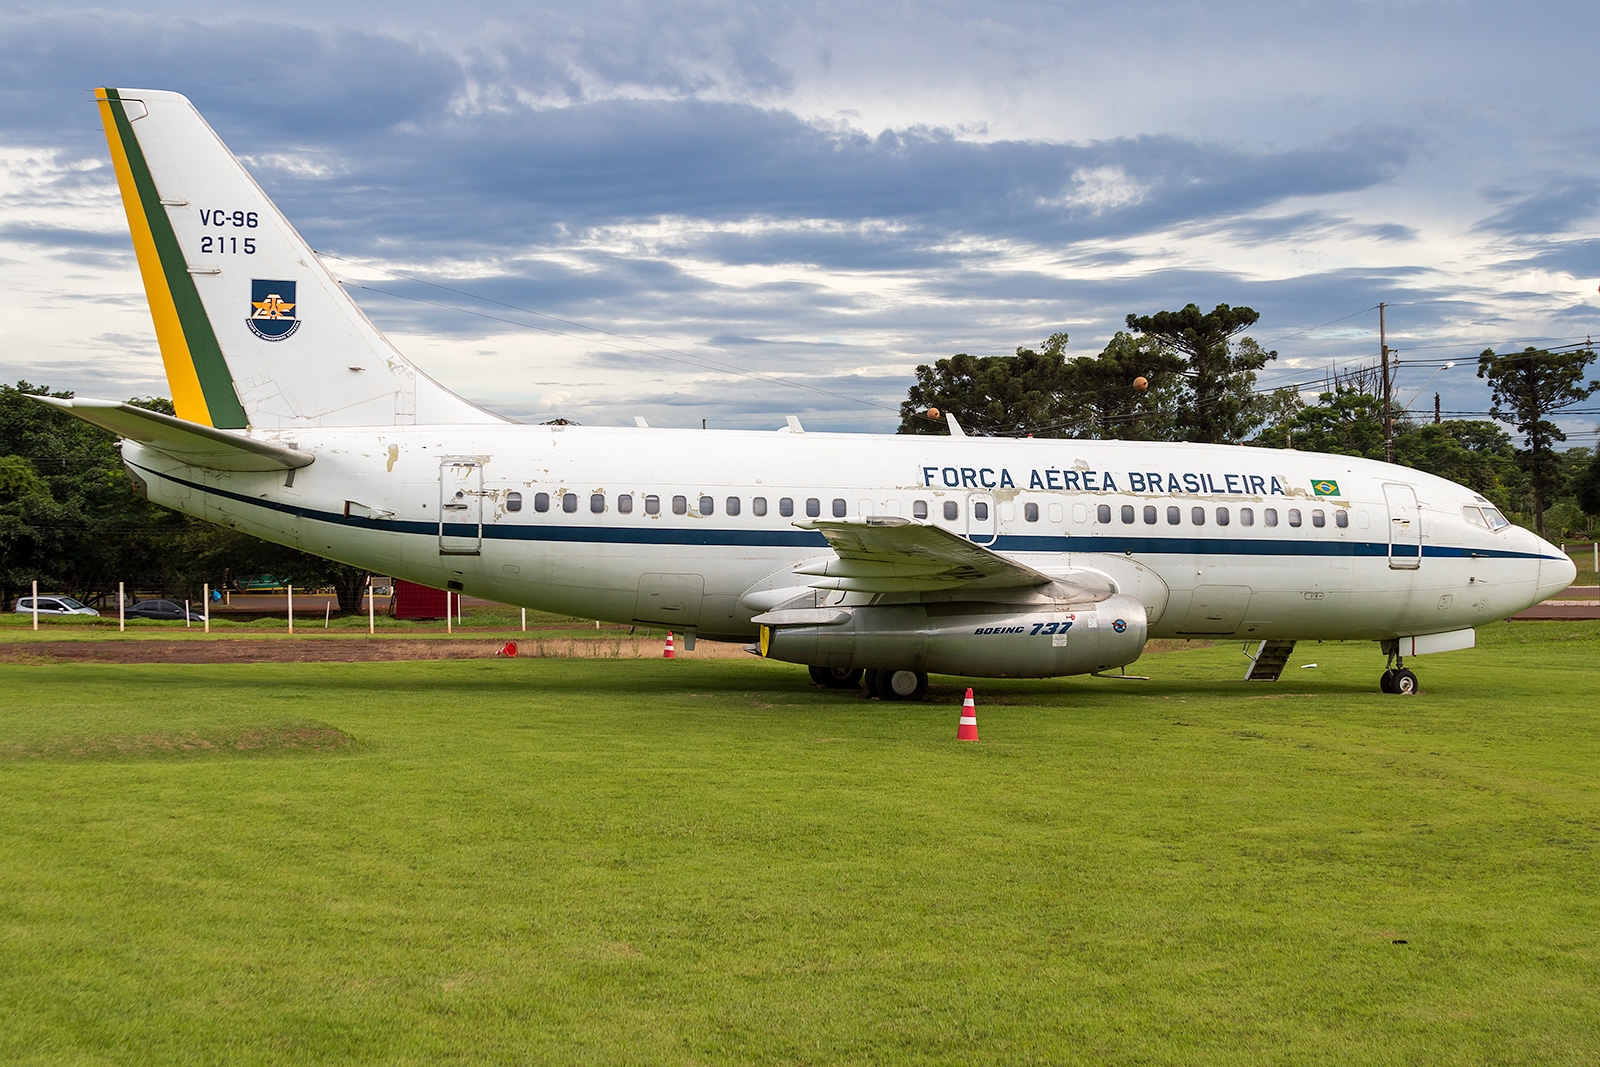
[254,329]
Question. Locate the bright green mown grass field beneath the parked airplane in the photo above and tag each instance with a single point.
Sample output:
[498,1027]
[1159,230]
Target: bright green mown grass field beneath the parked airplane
[702,863]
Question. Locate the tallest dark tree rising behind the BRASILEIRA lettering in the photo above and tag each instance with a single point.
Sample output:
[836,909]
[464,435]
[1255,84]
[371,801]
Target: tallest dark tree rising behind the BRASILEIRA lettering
[1220,404]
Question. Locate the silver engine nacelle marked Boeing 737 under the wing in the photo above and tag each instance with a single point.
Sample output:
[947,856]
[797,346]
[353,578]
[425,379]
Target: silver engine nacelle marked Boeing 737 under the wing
[986,641]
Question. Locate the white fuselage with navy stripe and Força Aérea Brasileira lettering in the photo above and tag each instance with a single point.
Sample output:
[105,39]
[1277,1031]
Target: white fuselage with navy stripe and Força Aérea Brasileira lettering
[1254,553]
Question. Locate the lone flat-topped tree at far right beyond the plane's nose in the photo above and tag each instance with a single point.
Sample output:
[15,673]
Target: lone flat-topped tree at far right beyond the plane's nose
[1527,388]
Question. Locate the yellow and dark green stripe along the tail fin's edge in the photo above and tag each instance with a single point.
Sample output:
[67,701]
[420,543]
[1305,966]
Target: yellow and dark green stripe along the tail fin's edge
[196,370]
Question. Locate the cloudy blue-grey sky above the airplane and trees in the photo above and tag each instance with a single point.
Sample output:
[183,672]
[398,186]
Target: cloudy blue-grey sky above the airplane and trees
[737,212]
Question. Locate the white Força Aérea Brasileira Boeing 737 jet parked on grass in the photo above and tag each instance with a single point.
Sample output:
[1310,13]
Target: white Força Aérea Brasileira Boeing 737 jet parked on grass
[870,559]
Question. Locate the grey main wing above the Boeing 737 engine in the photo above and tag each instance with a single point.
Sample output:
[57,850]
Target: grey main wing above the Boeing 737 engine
[884,556]
